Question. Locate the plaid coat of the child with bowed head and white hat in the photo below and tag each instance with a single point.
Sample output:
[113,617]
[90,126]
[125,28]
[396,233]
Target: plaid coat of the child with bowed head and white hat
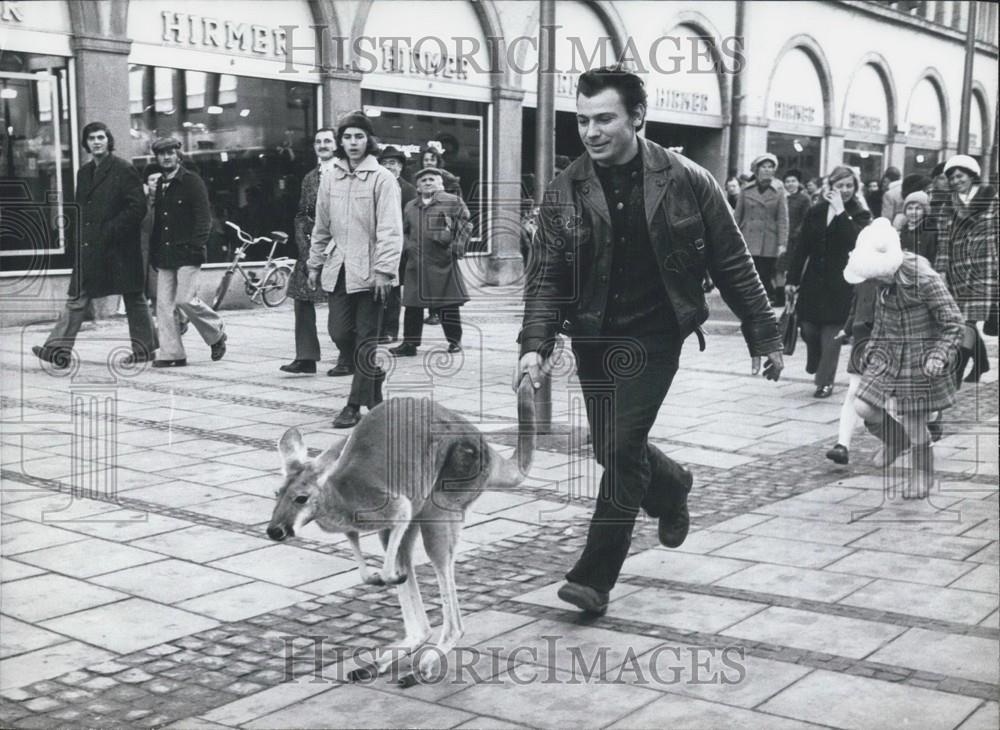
[908,329]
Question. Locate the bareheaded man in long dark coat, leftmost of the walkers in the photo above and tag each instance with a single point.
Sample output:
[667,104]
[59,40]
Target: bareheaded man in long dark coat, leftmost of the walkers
[109,256]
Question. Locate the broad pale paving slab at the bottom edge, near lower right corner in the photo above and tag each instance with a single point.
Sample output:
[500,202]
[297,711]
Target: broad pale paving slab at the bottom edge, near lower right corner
[855,702]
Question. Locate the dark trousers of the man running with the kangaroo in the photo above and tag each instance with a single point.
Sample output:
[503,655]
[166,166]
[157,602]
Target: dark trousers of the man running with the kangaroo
[621,408]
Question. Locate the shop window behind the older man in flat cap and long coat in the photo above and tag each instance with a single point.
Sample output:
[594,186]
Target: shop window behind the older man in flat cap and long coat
[455,126]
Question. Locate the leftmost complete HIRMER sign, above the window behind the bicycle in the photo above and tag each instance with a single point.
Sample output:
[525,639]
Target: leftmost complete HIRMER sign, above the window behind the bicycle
[195,30]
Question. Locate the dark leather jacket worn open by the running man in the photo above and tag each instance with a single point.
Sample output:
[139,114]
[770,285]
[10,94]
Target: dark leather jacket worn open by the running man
[691,228]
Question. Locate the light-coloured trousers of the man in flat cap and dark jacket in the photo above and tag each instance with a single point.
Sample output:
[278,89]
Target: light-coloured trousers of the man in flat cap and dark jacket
[178,288]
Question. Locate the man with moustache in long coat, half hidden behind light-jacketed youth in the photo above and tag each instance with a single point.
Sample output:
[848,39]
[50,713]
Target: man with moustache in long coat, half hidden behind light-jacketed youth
[307,351]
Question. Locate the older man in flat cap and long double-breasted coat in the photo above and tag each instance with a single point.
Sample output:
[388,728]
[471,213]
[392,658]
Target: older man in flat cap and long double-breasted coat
[435,228]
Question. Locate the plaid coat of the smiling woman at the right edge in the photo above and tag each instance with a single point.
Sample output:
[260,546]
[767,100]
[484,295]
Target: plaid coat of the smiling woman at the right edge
[967,254]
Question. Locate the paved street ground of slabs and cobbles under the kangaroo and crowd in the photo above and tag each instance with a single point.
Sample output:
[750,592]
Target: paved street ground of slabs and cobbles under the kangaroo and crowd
[139,589]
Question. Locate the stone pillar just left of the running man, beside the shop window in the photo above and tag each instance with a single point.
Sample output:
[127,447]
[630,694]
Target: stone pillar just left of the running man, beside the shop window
[504,265]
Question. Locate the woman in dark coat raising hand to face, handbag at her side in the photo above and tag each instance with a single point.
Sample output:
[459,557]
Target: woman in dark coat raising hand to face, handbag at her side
[816,272]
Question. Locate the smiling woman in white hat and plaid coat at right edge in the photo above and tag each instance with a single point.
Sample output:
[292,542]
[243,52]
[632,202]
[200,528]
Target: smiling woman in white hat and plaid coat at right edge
[967,256]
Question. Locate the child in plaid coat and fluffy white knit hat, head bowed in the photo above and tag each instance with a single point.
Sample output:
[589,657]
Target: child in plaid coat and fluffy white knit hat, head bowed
[913,346]
